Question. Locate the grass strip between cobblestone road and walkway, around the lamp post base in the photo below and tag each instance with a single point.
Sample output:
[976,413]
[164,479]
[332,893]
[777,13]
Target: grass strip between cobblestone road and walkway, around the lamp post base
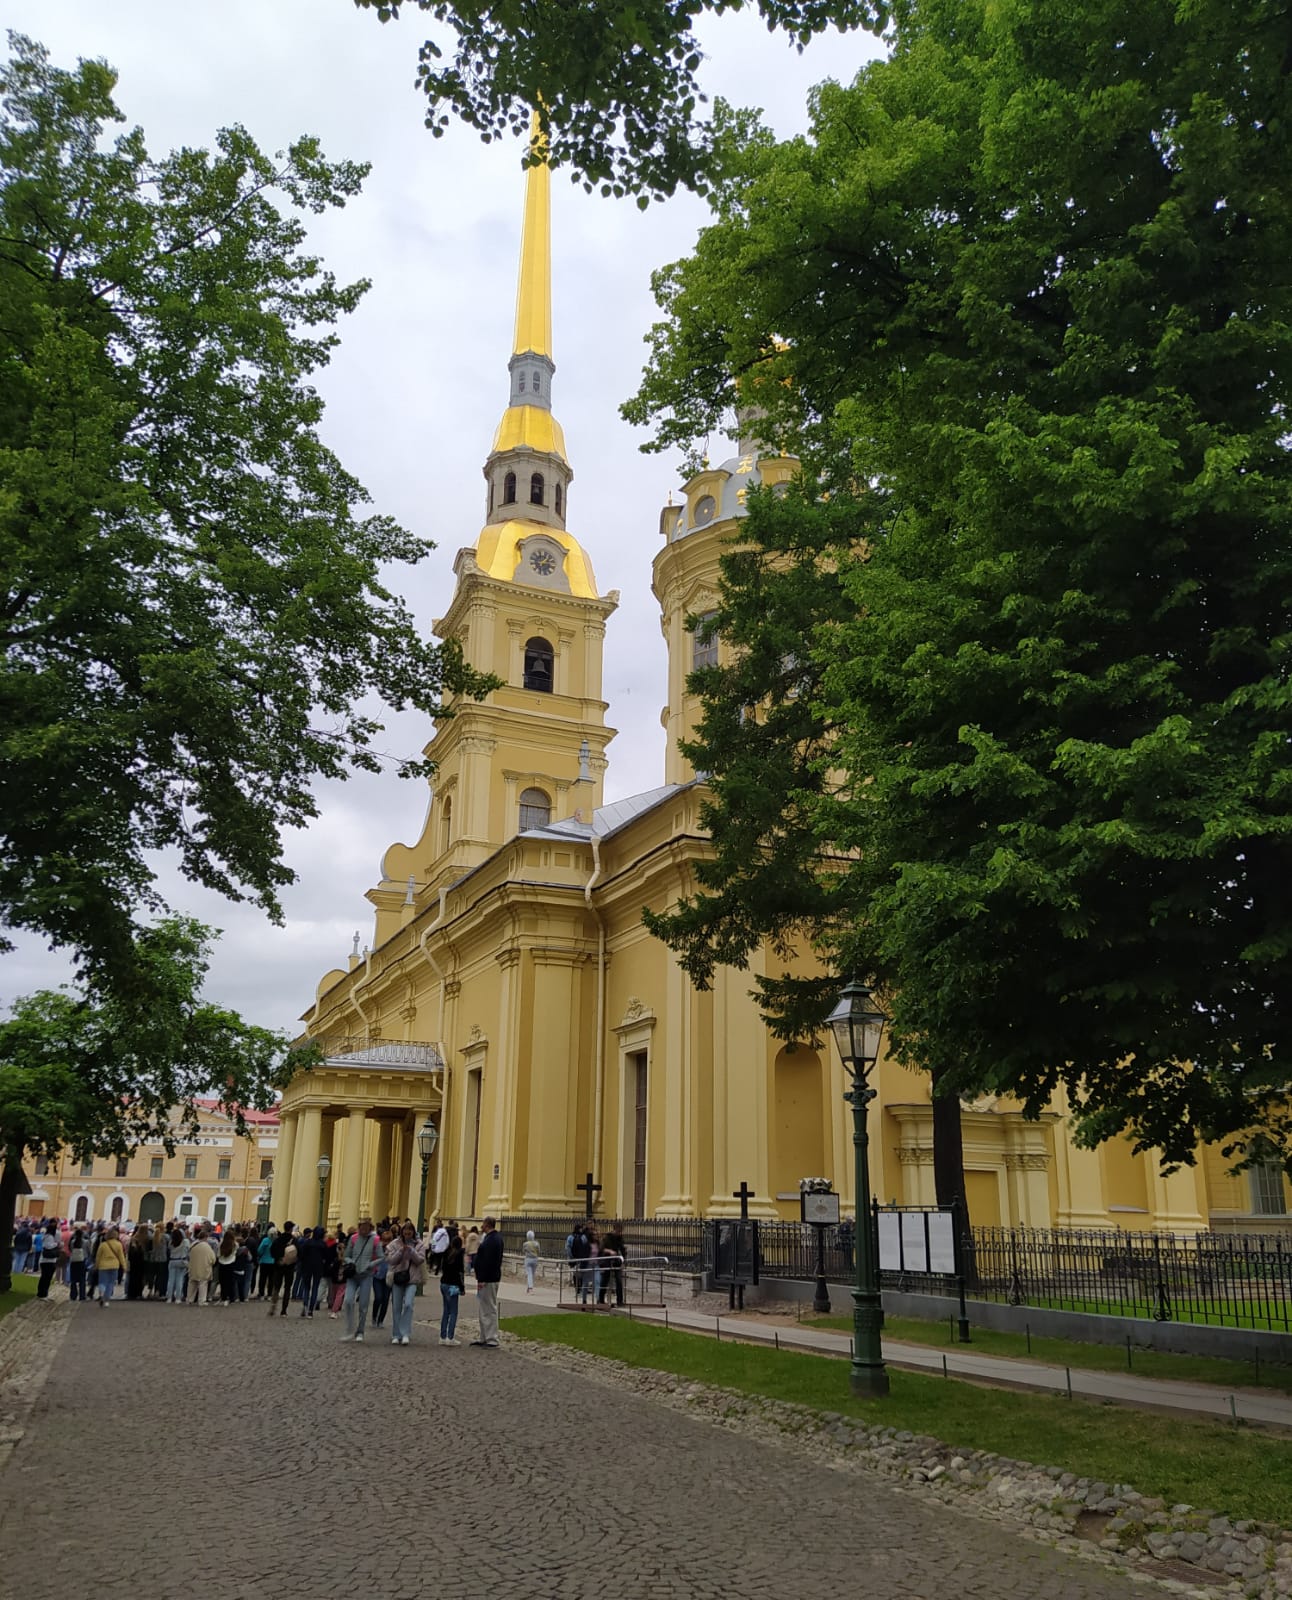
[1208,1465]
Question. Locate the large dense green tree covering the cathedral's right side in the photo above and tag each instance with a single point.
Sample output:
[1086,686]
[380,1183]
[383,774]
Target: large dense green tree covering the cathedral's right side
[1021,302]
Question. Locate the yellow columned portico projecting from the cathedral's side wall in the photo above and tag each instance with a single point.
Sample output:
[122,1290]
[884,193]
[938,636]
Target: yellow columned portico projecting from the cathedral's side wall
[362,1110]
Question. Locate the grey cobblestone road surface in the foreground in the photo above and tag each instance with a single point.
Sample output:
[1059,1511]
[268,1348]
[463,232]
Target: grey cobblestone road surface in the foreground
[185,1452]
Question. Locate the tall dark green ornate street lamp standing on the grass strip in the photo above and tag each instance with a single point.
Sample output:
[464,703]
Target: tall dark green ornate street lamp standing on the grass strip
[858,1026]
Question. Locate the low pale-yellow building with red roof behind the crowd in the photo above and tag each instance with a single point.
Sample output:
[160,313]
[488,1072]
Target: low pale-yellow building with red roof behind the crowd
[217,1175]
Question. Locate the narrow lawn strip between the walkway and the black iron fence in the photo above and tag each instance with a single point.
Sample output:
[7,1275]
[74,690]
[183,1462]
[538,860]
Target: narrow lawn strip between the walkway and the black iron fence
[1072,1353]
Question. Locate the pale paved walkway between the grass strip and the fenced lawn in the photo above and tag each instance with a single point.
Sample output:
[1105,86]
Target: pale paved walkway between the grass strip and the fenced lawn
[1251,1406]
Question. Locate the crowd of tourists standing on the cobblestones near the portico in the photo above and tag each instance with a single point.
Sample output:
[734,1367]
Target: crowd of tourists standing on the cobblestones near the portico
[343,1273]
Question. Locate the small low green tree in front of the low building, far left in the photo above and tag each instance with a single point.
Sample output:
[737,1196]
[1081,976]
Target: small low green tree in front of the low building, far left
[98,1076]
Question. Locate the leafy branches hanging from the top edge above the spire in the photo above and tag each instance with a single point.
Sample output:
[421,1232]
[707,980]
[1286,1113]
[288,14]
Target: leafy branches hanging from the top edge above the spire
[618,84]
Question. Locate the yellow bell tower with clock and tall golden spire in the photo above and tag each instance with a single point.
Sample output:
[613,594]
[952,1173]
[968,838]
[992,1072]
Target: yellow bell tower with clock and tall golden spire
[525,609]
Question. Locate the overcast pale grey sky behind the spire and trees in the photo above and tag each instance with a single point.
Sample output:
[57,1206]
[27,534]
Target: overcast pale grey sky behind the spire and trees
[420,382]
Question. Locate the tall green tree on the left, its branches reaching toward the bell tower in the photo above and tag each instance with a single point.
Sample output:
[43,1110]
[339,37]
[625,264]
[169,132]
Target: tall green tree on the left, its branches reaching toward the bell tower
[193,612]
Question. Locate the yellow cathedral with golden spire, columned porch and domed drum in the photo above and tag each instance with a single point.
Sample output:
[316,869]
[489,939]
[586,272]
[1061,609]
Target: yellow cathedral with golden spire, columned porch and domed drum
[512,996]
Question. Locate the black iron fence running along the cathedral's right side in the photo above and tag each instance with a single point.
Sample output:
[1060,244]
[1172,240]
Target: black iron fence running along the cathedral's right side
[1242,1281]
